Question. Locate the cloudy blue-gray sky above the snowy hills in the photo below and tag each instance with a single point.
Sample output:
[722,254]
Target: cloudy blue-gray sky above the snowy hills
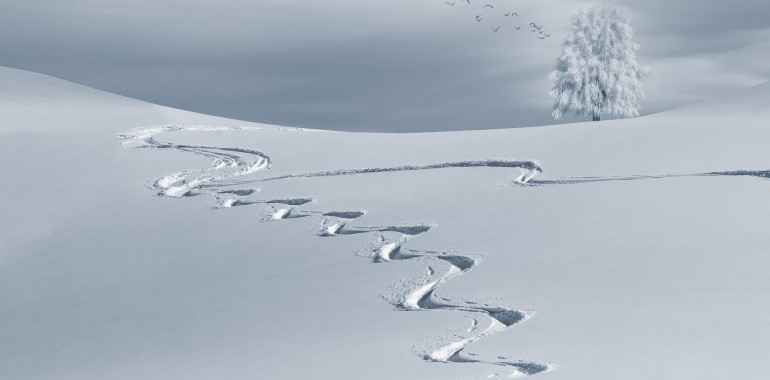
[388,65]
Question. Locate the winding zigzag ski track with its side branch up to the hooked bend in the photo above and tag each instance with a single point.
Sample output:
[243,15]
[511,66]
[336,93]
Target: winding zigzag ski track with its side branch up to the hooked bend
[229,163]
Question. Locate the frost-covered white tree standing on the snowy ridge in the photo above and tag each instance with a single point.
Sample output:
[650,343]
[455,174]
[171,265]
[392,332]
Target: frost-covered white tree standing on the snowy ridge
[597,73]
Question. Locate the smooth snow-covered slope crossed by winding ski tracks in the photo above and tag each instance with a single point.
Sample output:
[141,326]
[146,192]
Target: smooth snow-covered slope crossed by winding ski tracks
[141,242]
